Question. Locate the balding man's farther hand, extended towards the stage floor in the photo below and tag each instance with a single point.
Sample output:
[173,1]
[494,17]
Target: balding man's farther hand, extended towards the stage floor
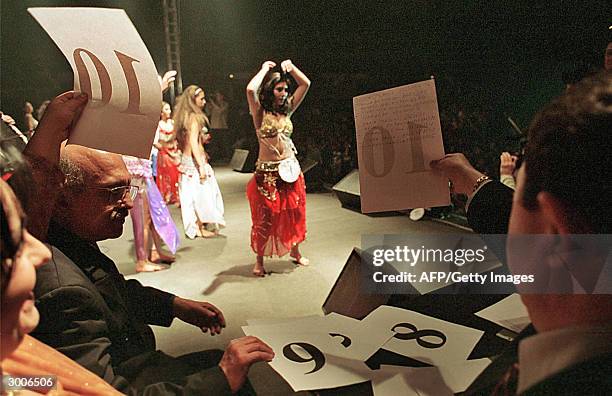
[200,314]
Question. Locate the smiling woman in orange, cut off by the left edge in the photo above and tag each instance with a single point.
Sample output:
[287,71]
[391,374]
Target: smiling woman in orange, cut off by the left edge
[21,355]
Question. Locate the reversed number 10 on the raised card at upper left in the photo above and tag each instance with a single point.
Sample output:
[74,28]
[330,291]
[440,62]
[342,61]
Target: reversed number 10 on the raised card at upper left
[106,86]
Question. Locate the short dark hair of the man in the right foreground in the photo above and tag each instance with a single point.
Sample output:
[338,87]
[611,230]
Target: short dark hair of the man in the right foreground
[568,151]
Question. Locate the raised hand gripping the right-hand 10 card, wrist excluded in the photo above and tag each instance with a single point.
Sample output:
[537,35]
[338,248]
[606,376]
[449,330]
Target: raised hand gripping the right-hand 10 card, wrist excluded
[458,170]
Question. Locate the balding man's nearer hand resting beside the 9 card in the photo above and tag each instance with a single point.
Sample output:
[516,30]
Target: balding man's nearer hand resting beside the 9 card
[240,354]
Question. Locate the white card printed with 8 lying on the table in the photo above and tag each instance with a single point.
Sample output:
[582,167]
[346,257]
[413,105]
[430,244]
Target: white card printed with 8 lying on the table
[422,337]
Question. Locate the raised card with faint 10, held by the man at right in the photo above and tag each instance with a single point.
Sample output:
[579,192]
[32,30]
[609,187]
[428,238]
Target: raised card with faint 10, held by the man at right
[398,134]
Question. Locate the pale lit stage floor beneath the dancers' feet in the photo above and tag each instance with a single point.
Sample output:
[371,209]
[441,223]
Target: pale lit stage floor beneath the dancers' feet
[218,270]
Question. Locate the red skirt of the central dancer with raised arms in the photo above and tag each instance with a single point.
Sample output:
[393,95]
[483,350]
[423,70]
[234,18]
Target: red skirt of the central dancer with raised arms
[278,212]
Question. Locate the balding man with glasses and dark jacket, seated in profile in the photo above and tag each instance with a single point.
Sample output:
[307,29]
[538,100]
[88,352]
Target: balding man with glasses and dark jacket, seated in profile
[92,314]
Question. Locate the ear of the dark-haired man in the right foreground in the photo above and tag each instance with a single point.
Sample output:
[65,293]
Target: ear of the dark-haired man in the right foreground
[559,216]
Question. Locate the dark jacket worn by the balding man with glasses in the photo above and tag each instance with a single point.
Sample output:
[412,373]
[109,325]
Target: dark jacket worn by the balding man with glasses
[92,314]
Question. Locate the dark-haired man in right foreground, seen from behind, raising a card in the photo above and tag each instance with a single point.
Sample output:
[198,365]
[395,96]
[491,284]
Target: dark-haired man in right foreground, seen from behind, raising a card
[568,140]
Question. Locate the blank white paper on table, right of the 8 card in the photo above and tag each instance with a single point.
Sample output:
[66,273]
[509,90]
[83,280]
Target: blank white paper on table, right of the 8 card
[510,313]
